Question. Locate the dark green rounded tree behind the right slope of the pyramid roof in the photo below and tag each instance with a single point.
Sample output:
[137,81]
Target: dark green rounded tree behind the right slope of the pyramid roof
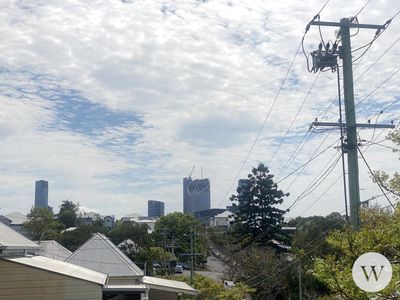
[138,233]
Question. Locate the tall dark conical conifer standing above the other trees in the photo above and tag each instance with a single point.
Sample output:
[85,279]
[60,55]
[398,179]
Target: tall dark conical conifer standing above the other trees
[258,219]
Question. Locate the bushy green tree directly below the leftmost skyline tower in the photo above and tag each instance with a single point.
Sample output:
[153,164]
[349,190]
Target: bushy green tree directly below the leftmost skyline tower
[41,224]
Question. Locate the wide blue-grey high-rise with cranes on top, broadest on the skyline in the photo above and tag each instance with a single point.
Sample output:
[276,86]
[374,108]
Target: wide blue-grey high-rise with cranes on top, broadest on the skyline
[196,195]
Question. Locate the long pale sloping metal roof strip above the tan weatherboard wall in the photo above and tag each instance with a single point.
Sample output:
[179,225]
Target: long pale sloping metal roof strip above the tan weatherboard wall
[60,267]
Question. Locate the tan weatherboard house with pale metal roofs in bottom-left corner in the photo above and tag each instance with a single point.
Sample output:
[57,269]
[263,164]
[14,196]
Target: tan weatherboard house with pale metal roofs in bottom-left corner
[34,277]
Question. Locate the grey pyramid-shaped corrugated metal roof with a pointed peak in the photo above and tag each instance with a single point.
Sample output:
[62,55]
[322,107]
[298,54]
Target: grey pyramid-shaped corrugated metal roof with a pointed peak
[100,254]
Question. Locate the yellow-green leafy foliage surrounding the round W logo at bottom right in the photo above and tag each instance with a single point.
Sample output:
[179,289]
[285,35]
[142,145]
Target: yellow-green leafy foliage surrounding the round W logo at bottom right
[379,233]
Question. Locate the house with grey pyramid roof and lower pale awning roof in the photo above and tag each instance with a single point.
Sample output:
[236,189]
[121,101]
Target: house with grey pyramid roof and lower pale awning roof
[126,280]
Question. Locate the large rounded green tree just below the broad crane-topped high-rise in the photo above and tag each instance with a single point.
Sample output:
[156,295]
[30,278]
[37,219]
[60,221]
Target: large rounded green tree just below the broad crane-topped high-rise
[175,228]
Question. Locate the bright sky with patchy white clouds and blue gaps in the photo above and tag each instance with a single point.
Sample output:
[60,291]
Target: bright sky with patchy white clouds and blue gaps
[114,101]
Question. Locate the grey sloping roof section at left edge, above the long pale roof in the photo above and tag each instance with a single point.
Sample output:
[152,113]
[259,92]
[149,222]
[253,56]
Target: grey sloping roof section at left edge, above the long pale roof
[12,240]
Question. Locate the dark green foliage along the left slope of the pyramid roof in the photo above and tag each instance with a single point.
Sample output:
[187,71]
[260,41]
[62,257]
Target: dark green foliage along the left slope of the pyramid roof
[72,240]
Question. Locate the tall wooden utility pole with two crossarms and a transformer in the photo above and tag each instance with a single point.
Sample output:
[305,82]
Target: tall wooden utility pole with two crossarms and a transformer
[328,59]
